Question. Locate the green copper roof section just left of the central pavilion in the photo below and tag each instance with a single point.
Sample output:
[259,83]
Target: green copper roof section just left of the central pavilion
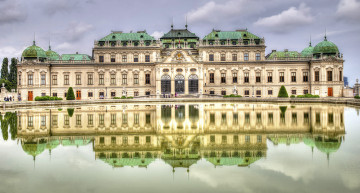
[119,36]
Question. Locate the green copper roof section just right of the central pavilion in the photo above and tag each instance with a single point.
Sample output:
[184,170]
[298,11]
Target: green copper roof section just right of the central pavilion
[232,35]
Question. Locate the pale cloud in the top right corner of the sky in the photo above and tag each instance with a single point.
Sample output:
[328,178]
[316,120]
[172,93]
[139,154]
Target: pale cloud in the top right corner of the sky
[349,10]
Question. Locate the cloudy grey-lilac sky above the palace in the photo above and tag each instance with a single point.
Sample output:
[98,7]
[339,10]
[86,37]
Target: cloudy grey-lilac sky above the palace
[73,25]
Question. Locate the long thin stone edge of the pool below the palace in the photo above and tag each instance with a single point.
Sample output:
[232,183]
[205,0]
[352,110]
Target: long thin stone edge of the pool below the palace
[345,101]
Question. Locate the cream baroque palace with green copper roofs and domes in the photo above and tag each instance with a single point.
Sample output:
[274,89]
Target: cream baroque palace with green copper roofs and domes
[182,64]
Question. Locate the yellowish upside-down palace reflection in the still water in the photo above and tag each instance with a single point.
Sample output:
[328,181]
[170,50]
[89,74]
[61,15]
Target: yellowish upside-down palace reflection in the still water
[223,134]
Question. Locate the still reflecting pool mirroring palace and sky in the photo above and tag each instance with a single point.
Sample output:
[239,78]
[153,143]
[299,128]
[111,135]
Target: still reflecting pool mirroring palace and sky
[221,147]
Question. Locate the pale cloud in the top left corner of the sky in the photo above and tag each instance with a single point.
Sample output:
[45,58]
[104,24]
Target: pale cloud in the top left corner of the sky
[11,12]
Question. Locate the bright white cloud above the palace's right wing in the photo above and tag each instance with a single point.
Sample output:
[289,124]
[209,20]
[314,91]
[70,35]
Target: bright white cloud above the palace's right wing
[287,20]
